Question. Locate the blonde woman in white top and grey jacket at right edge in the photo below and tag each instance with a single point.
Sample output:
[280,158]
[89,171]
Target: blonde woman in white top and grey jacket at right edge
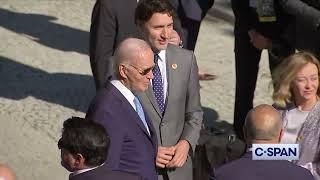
[296,95]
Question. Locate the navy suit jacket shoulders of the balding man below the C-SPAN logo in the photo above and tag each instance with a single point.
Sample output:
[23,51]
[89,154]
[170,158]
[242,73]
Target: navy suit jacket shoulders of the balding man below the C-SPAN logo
[248,169]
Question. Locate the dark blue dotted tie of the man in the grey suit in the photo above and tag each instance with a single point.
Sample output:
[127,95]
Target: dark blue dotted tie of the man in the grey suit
[157,84]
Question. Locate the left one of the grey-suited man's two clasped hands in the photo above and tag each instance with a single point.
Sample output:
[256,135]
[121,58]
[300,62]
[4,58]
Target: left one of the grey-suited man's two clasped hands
[164,155]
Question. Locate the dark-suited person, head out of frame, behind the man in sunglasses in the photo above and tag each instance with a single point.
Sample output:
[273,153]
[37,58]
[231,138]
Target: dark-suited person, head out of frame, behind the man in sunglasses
[112,21]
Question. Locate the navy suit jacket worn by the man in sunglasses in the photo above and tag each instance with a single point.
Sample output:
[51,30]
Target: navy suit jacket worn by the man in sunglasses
[132,149]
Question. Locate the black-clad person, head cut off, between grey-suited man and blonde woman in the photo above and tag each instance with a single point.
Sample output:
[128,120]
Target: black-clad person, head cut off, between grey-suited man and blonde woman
[253,33]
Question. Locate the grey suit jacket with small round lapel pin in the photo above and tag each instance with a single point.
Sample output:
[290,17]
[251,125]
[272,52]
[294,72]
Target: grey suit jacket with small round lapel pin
[182,118]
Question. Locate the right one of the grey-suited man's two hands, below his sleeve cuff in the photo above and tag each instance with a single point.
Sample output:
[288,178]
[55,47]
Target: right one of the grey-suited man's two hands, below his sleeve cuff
[180,154]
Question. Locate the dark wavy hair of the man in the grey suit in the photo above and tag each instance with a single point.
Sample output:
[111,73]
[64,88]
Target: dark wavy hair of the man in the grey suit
[147,8]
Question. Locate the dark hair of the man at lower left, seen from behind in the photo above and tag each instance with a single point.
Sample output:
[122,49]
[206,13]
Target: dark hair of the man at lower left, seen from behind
[85,137]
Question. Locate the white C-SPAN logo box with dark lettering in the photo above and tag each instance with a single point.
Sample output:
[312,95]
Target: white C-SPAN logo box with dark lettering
[275,151]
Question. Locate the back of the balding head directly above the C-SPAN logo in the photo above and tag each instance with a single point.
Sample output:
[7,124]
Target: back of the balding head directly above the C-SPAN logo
[263,124]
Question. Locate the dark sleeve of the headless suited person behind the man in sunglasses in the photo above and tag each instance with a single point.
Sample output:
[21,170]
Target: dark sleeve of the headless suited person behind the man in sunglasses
[102,39]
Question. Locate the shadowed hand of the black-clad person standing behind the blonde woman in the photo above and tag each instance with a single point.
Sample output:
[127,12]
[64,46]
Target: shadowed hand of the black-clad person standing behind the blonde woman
[259,41]
